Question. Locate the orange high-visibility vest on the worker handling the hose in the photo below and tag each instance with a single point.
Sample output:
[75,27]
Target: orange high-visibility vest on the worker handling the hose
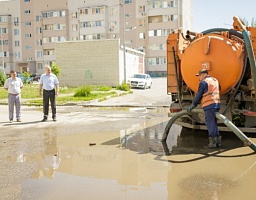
[213,94]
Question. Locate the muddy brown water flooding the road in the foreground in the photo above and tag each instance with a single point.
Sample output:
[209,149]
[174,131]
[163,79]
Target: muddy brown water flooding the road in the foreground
[125,164]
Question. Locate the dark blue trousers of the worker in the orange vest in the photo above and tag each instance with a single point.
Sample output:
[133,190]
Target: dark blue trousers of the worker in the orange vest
[211,122]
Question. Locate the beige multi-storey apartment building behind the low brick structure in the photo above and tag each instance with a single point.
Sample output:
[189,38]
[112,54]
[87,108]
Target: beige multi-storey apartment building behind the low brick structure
[30,28]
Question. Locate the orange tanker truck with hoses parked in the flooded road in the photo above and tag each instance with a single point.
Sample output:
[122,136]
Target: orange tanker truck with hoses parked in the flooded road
[228,55]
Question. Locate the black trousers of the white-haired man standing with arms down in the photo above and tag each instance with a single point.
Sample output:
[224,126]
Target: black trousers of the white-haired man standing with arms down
[49,95]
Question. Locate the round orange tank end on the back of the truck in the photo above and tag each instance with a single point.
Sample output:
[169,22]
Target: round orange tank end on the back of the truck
[221,56]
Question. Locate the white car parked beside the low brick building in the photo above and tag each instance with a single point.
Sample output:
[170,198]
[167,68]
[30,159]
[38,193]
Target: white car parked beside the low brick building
[140,81]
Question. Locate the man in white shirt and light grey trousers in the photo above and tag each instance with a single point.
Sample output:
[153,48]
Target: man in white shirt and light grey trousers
[14,85]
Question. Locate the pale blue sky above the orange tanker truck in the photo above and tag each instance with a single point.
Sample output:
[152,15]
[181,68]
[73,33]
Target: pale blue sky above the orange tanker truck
[209,14]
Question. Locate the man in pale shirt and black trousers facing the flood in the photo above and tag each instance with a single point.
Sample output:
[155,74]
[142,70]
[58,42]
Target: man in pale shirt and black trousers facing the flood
[50,85]
